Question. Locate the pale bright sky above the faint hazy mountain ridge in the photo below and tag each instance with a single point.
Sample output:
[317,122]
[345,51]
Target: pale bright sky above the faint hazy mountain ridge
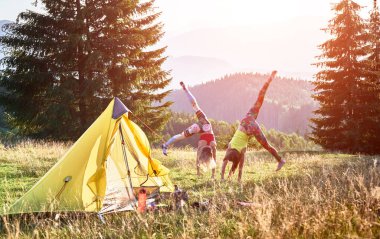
[185,15]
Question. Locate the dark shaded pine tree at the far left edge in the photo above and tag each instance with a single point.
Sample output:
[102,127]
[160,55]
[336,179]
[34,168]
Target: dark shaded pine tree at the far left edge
[33,94]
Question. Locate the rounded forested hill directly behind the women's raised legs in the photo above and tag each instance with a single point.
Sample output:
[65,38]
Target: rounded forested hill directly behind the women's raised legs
[288,104]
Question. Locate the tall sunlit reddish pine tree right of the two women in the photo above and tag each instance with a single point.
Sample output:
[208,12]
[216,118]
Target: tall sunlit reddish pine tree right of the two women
[338,86]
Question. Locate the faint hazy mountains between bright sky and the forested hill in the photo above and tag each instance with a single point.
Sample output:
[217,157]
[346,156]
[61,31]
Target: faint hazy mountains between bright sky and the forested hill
[288,46]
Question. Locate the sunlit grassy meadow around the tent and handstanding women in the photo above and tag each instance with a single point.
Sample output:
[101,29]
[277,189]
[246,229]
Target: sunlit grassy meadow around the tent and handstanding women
[316,195]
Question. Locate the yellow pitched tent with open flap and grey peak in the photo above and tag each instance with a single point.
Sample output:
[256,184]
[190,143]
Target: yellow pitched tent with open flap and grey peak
[101,172]
